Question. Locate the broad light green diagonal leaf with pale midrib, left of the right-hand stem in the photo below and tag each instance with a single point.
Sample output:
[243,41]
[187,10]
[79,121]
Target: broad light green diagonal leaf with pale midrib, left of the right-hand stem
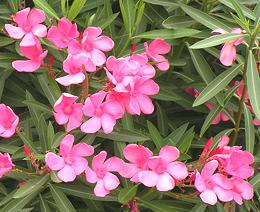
[217,85]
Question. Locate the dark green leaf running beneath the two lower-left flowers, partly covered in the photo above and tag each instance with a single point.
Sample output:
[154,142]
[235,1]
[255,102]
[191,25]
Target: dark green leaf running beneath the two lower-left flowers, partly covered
[83,192]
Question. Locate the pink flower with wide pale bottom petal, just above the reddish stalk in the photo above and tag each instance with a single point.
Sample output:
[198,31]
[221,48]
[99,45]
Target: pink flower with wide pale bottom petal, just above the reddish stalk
[73,65]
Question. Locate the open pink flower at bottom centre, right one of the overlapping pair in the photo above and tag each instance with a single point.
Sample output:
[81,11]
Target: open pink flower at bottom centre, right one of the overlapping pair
[163,171]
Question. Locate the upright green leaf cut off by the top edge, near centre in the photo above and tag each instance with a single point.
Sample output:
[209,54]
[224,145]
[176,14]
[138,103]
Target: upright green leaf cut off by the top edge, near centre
[128,12]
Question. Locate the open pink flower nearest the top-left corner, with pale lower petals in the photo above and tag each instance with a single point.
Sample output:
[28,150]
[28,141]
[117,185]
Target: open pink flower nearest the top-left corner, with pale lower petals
[28,25]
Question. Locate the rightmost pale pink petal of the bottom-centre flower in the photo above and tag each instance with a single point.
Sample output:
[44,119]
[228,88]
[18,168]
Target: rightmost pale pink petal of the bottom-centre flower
[178,170]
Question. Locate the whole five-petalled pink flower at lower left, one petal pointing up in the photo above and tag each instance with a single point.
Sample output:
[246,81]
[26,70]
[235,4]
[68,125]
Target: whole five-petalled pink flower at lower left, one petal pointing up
[71,163]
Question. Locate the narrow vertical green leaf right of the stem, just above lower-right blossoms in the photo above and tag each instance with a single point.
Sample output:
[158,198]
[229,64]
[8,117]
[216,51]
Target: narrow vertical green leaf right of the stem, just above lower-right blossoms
[249,130]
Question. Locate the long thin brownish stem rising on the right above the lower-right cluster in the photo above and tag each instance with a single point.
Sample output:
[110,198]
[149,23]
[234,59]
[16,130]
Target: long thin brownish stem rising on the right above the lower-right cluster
[241,102]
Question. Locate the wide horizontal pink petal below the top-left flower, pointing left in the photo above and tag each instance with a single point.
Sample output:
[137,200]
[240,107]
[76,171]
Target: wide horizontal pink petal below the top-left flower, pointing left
[26,65]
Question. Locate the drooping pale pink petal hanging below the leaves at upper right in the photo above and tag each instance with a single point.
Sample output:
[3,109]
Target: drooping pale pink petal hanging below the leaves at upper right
[228,54]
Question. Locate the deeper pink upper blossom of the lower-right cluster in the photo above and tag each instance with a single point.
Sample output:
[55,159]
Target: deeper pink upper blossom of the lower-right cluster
[228,159]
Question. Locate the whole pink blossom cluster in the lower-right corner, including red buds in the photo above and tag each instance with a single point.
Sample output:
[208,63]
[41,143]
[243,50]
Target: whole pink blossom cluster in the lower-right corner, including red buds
[225,173]
